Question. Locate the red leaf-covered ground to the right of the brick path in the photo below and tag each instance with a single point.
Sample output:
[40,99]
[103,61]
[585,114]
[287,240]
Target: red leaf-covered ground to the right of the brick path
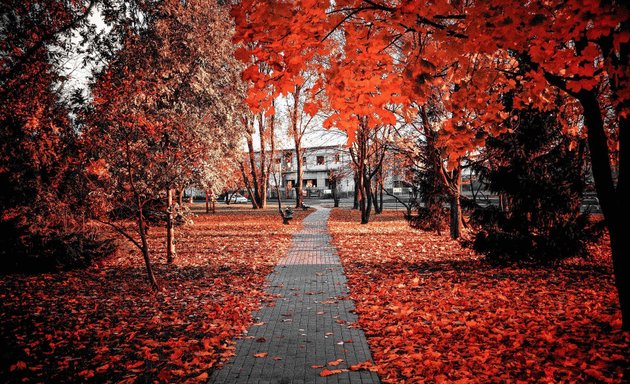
[436,312]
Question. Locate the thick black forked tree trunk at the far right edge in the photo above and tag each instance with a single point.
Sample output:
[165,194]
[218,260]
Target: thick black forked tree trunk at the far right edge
[613,202]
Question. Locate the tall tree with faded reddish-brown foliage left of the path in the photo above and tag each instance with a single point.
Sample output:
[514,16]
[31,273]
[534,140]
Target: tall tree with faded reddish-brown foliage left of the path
[161,113]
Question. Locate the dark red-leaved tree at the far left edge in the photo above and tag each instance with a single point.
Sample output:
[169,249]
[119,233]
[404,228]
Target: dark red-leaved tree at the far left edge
[43,219]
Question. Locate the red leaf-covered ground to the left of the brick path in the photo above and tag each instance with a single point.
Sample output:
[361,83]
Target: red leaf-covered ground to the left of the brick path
[104,323]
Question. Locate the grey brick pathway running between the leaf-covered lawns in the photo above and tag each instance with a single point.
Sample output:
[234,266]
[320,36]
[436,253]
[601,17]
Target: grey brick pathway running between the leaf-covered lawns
[309,324]
